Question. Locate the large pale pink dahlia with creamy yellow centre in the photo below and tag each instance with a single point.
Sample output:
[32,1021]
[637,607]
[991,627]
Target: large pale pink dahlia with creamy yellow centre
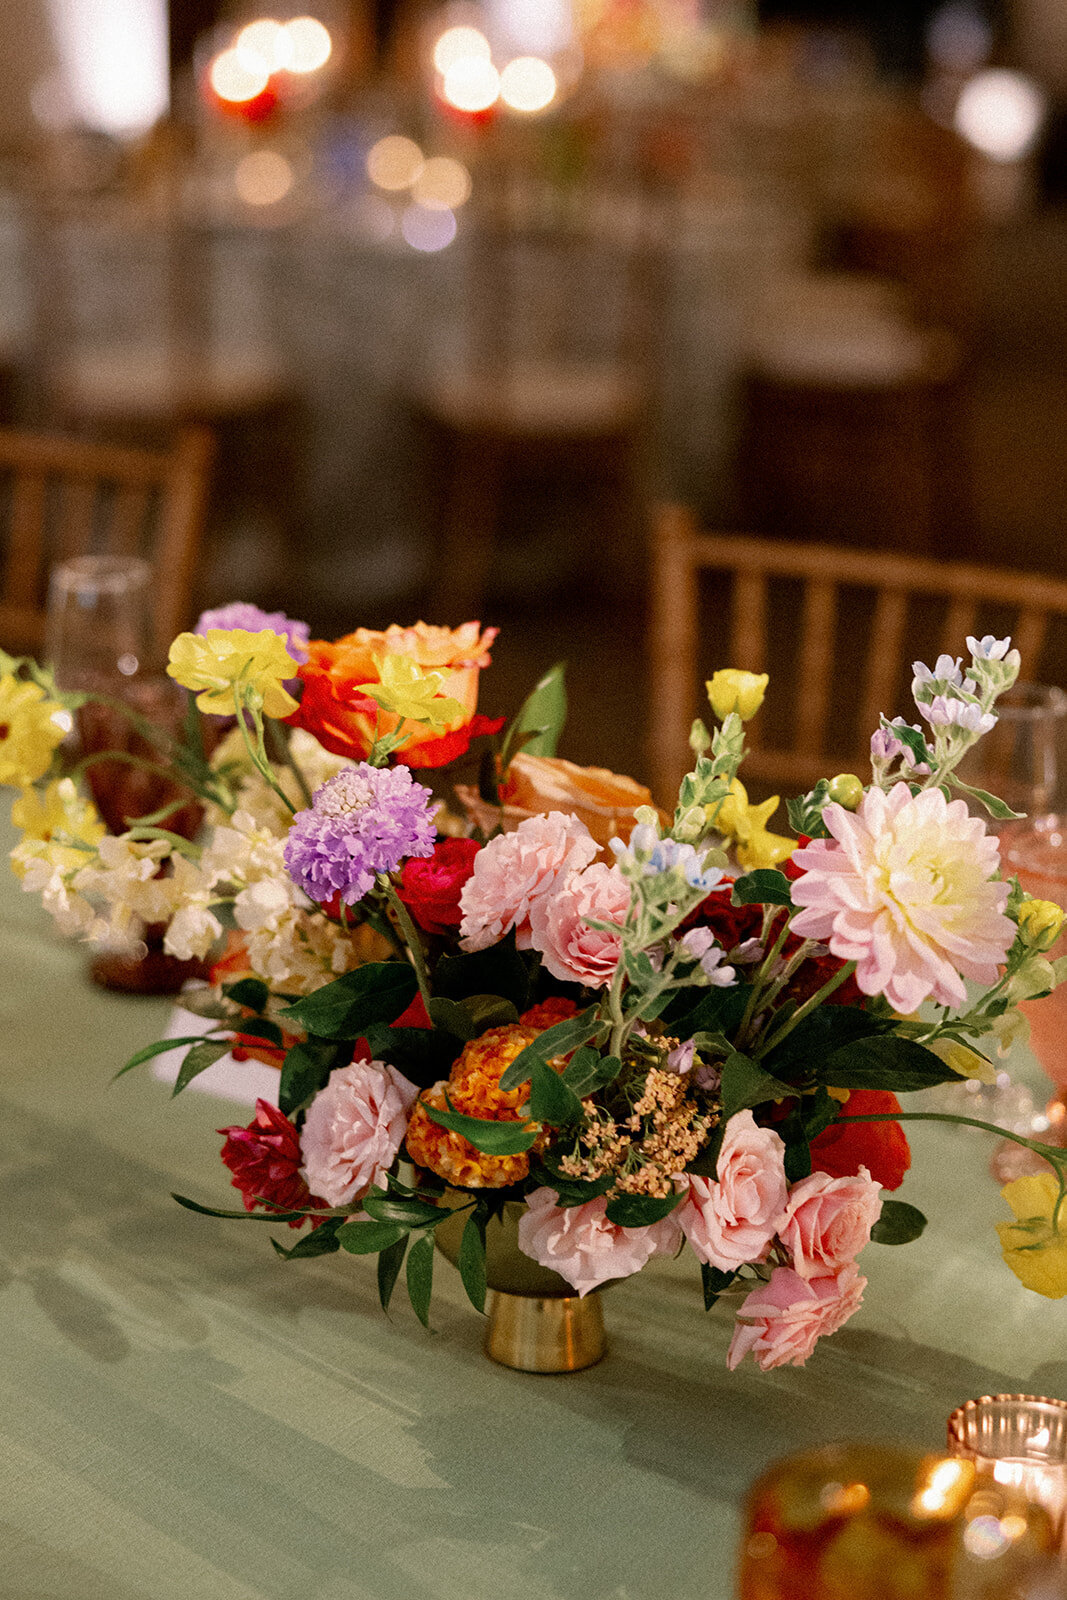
[906,889]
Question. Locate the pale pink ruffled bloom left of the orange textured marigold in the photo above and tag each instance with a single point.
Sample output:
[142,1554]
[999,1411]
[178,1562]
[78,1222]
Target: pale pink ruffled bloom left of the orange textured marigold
[354,1129]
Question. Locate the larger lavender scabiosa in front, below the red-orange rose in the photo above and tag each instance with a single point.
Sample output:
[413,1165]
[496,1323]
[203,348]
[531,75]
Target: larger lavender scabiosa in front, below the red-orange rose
[364,822]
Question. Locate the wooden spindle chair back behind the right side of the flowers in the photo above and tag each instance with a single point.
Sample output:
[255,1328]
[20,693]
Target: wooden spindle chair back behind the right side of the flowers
[837,630]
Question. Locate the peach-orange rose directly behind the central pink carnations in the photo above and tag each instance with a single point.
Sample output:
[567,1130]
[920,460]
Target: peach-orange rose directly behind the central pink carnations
[605,802]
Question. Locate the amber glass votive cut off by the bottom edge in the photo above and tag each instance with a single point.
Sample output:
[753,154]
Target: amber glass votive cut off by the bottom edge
[874,1522]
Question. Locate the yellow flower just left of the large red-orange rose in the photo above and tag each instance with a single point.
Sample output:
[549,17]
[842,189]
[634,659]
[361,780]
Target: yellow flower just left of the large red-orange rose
[223,658]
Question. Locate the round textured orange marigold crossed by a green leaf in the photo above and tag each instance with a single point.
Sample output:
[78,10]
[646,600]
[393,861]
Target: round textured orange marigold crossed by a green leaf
[474,1089]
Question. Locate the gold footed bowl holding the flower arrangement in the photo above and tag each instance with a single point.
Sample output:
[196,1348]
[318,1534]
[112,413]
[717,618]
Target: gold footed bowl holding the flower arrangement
[537,1321]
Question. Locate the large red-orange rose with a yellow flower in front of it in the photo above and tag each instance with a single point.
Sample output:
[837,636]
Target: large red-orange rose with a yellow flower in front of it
[345,721]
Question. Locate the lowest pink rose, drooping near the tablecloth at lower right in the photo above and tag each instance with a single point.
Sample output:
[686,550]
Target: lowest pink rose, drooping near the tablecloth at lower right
[783,1321]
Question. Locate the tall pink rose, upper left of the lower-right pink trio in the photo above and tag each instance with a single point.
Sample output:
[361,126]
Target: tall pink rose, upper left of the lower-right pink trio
[732,1220]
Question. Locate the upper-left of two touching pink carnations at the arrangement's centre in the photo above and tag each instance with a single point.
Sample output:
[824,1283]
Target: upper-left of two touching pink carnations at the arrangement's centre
[514,873]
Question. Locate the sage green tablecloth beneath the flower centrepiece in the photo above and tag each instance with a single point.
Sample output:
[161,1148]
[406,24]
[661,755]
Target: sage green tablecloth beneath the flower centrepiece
[183,1415]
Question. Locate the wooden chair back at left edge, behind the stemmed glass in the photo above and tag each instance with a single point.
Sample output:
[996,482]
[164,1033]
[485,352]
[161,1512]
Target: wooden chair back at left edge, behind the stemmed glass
[65,497]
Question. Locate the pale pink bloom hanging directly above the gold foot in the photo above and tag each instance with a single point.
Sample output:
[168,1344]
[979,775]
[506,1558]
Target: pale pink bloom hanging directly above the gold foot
[583,1246]
